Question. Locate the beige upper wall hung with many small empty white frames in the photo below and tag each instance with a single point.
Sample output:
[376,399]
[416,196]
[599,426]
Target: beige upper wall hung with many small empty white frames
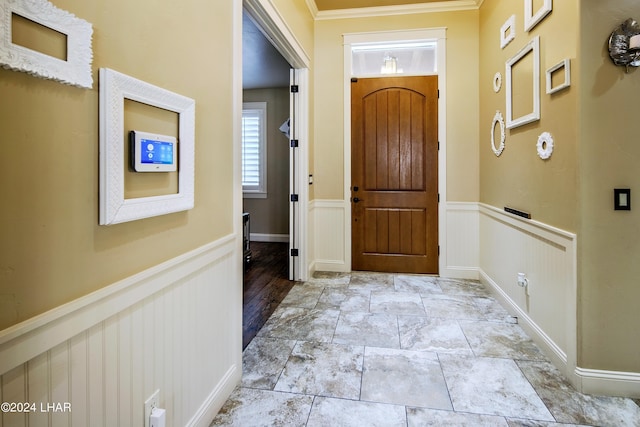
[519,178]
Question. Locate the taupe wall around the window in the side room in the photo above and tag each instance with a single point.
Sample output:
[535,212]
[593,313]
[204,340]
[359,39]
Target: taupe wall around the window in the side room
[271,215]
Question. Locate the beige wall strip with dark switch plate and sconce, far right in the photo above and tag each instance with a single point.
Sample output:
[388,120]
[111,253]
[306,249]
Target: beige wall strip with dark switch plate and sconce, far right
[609,156]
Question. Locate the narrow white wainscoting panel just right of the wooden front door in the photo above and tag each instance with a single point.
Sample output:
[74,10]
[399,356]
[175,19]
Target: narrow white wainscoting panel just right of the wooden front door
[460,246]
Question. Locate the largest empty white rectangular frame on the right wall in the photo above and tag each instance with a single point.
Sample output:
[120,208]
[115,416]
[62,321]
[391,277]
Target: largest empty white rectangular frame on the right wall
[531,48]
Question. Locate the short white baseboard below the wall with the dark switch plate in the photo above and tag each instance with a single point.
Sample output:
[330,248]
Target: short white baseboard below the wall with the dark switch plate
[609,383]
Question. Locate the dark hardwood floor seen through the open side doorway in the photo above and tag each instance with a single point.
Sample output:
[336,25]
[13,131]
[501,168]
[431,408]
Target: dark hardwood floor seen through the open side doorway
[266,283]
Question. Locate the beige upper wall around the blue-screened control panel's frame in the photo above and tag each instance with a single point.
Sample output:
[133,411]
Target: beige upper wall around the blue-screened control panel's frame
[52,249]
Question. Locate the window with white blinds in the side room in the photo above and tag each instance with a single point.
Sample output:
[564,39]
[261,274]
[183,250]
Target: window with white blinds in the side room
[254,149]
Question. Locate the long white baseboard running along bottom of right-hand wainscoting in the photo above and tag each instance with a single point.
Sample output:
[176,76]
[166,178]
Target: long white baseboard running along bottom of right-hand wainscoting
[550,348]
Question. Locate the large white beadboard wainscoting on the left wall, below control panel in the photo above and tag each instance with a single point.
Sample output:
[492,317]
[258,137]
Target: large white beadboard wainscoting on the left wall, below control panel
[176,327]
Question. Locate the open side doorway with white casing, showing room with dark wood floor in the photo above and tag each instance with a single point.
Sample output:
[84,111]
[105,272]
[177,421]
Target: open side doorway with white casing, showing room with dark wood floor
[274,162]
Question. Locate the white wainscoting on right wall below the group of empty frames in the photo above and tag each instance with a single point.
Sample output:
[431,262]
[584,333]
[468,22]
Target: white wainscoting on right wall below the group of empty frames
[510,245]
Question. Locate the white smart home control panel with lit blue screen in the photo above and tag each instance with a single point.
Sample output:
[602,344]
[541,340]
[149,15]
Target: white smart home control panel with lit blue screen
[151,152]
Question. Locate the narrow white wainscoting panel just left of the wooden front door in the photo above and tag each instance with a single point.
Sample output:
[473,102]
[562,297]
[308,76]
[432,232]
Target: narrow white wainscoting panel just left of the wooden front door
[331,245]
